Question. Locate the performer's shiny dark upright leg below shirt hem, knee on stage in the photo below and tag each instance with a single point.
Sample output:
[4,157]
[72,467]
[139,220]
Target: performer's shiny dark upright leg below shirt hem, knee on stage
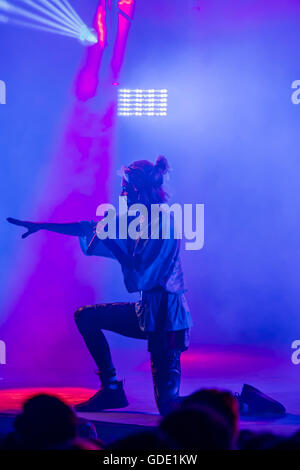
[166,373]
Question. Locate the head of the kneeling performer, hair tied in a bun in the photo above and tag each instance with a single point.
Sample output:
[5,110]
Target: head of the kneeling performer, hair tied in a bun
[146,180]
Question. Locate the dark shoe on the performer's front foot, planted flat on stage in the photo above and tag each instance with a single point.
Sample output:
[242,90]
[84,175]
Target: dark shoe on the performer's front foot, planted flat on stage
[110,396]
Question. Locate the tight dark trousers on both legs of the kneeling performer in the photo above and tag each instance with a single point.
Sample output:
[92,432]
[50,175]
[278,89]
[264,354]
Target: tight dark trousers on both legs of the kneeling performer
[121,318]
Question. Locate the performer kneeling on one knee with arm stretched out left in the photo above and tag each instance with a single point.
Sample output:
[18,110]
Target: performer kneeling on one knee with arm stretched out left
[150,266]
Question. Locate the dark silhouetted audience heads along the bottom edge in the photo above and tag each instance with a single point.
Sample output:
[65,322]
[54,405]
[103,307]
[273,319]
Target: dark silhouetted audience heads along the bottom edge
[206,420]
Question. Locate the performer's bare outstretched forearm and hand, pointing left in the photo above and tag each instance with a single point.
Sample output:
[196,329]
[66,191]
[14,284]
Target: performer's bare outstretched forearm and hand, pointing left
[74,229]
